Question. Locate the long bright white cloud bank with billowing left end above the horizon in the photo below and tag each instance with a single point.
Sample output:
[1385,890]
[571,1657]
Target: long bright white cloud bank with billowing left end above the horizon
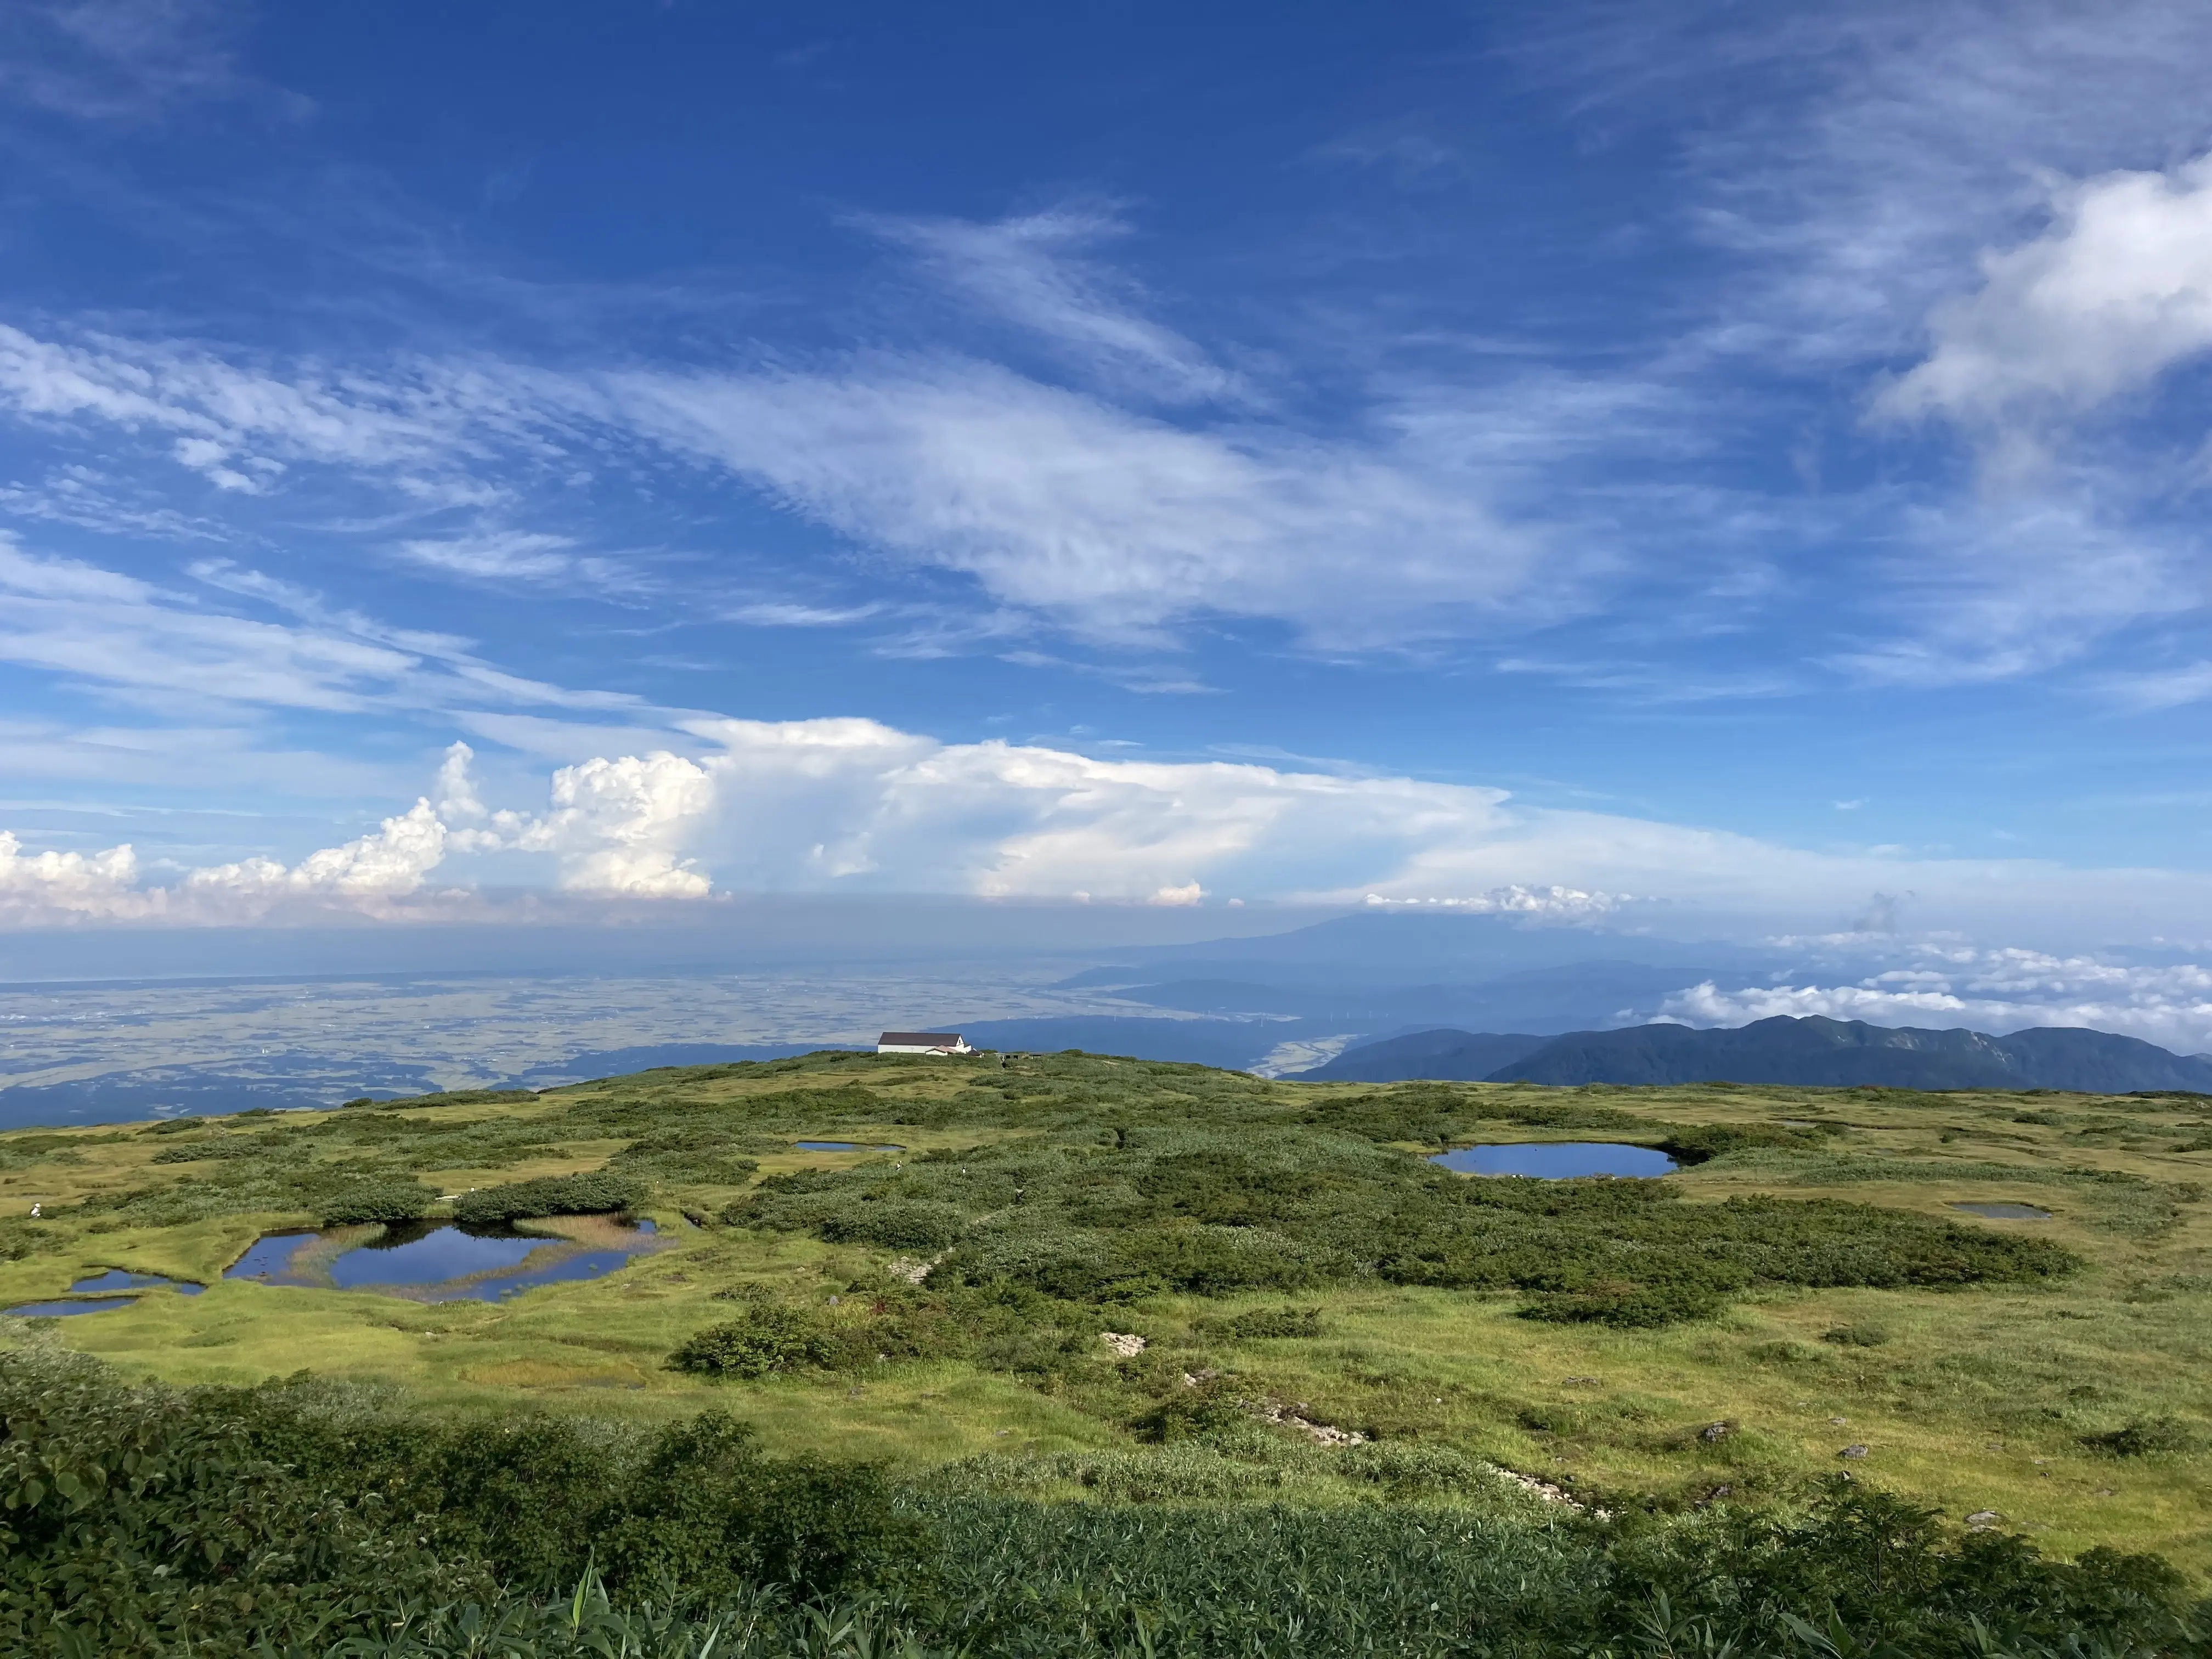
[857,806]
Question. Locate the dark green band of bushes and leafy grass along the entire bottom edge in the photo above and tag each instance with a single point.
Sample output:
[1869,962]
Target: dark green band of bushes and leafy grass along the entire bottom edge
[289,1523]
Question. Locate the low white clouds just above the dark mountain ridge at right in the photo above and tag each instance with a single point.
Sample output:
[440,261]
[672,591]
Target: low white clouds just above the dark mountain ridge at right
[1990,990]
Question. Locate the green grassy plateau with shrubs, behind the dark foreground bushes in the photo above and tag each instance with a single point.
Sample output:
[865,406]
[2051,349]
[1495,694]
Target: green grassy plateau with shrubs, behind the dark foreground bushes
[1410,1379]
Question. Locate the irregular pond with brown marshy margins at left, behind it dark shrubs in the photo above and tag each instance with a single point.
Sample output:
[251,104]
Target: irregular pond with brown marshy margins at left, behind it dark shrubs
[439,1262]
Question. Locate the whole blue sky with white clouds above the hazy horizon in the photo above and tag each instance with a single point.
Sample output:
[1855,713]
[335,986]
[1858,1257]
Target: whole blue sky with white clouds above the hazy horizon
[1735,461]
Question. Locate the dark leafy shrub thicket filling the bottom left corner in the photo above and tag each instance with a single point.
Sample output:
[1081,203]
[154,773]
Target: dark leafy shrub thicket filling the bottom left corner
[154,1523]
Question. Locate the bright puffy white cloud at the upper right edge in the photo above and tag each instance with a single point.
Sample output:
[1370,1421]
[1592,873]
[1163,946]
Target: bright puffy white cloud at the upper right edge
[2107,300]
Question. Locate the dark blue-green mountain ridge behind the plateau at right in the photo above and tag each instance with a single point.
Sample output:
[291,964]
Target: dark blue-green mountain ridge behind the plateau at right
[1806,1052]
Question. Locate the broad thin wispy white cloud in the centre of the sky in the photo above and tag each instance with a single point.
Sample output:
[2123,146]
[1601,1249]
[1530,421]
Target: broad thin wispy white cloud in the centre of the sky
[1109,523]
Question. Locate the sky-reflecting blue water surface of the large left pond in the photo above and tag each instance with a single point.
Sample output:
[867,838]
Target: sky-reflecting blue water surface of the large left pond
[441,1260]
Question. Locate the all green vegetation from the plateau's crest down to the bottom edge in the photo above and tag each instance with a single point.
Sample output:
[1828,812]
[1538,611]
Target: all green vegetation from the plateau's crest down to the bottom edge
[1335,1366]
